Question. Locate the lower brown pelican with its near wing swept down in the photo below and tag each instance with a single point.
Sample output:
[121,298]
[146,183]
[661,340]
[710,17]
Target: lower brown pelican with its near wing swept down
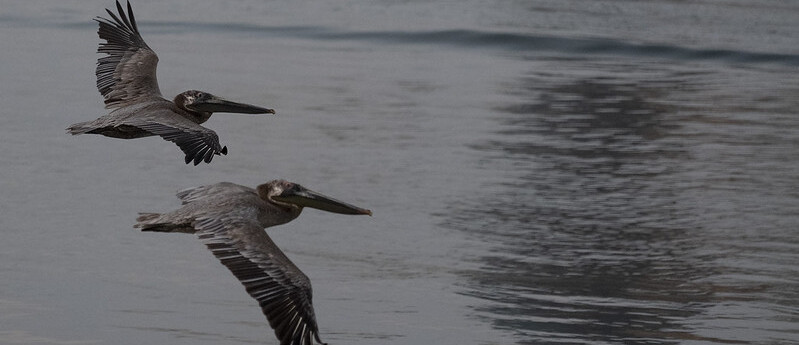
[230,220]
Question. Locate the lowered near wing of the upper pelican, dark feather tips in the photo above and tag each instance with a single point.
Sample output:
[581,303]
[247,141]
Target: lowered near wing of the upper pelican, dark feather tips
[197,142]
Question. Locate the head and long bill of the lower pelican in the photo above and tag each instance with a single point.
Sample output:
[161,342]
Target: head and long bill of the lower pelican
[294,196]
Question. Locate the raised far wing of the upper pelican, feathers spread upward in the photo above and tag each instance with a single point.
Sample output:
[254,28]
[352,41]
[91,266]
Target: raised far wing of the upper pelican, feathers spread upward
[127,74]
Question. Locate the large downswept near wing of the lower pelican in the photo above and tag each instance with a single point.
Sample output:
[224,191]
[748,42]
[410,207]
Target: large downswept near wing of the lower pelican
[281,289]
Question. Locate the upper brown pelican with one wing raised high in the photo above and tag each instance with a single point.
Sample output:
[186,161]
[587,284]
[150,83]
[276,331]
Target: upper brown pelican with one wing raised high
[126,79]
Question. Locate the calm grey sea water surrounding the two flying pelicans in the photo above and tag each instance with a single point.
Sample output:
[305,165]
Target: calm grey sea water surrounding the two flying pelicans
[574,172]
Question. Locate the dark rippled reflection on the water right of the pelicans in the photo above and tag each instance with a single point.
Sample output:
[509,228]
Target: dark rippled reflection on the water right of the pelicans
[593,242]
